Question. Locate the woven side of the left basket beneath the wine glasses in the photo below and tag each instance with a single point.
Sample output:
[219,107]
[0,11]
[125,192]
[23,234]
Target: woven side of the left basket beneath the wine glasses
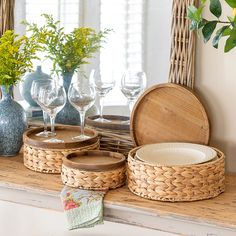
[49,160]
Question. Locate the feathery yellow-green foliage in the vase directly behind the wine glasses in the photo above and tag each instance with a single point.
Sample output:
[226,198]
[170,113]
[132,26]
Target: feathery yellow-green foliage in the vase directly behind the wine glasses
[67,51]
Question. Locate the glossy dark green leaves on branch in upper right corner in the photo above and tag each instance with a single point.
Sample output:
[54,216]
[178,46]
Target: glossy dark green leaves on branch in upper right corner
[222,28]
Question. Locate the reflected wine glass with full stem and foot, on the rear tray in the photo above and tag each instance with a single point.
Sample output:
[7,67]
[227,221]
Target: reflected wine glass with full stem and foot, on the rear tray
[103,85]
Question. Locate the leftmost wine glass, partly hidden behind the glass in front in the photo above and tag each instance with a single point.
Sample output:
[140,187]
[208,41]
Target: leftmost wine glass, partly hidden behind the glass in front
[36,85]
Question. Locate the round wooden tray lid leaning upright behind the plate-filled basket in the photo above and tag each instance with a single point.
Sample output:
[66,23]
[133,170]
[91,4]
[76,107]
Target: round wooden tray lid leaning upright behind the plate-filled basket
[169,113]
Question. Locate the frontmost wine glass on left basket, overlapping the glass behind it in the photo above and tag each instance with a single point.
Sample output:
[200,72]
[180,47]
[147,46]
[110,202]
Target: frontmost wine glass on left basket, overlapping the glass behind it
[52,98]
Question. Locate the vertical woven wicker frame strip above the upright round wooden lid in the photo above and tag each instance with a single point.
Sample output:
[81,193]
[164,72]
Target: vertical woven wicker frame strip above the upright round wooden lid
[182,58]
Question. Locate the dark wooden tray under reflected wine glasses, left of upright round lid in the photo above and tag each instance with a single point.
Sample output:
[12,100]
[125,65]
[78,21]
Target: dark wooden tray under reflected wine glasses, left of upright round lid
[116,122]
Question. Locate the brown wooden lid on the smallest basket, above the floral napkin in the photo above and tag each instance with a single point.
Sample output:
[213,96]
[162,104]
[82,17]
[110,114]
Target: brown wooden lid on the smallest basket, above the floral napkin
[94,160]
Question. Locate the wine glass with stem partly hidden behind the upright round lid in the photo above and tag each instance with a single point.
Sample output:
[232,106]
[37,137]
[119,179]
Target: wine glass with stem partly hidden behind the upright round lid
[132,84]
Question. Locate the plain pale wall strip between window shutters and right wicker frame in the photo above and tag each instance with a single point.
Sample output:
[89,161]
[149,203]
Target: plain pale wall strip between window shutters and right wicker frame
[158,26]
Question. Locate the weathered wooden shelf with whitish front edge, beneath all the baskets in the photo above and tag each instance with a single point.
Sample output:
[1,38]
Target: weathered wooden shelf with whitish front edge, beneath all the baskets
[215,216]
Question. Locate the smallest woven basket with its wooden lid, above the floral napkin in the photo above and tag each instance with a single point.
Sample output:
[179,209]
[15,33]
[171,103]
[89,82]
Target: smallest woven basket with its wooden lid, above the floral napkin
[94,174]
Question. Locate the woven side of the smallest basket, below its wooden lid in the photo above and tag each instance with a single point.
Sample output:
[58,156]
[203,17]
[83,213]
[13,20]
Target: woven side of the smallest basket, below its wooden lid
[95,180]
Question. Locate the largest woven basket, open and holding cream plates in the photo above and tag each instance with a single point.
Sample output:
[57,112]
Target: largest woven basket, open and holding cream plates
[176,183]
